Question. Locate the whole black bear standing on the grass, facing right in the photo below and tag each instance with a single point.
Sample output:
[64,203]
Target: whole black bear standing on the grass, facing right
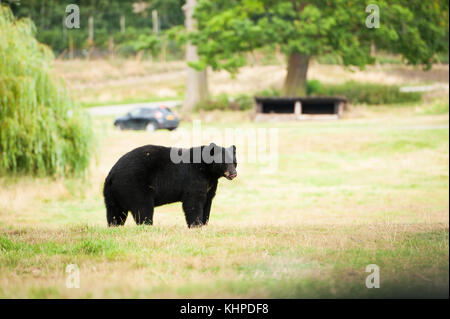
[151,176]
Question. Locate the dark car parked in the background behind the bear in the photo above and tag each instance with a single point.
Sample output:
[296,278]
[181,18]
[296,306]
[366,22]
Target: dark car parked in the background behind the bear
[149,119]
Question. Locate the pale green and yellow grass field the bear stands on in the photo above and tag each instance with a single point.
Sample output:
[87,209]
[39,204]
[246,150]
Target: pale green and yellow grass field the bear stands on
[365,190]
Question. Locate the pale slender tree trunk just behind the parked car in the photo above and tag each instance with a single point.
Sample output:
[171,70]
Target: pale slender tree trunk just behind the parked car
[197,83]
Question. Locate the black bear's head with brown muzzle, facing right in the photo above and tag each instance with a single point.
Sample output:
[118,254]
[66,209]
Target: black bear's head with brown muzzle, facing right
[222,160]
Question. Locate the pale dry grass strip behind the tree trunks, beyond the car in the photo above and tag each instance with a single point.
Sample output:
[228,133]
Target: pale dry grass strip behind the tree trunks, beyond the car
[121,81]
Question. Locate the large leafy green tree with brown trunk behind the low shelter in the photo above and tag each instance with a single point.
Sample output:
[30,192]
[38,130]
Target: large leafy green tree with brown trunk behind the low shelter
[227,30]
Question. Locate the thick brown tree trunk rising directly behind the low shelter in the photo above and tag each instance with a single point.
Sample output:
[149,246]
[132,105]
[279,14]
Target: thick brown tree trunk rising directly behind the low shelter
[295,83]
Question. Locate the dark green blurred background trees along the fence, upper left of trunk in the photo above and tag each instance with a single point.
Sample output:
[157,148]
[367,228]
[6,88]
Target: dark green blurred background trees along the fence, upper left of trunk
[123,26]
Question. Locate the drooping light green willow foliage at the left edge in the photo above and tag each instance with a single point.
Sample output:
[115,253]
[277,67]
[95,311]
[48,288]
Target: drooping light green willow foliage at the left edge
[42,131]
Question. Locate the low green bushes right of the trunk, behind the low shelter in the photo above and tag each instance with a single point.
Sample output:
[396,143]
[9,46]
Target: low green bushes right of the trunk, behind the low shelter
[364,93]
